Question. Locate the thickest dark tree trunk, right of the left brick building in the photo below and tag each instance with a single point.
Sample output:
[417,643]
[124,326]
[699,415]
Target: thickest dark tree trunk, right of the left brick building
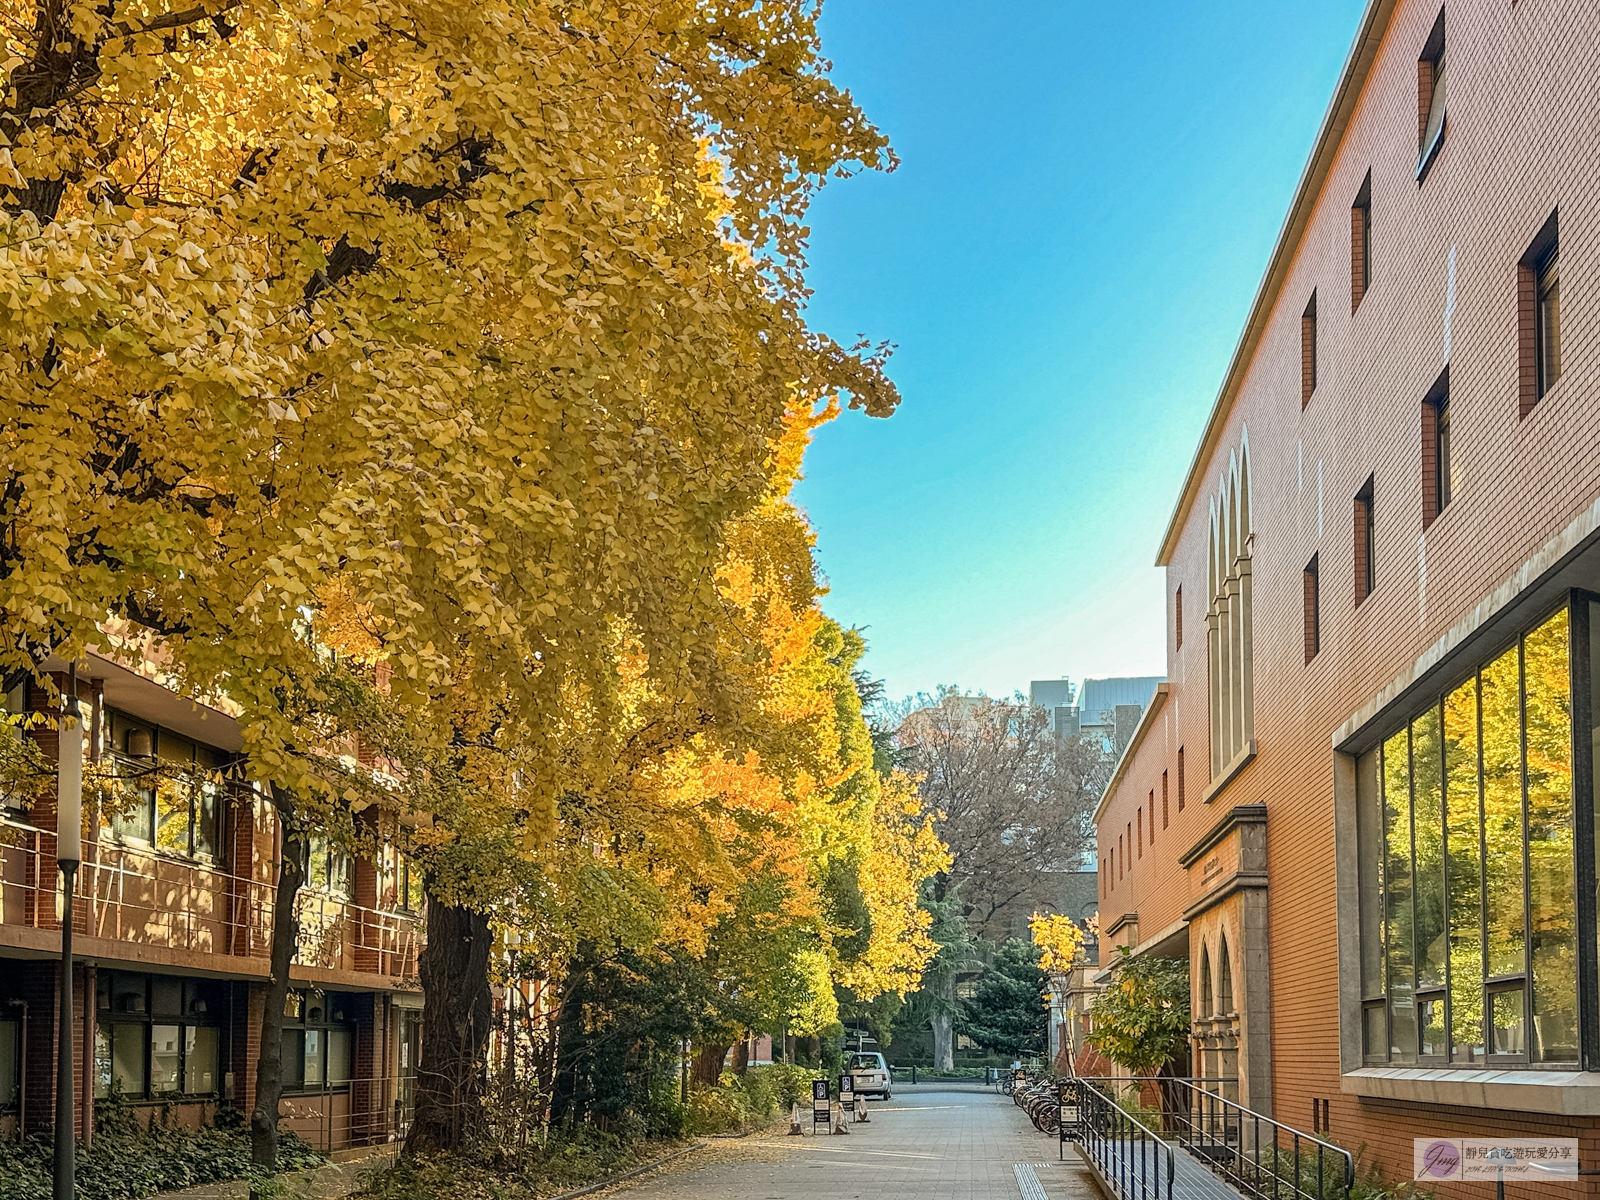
[457,1018]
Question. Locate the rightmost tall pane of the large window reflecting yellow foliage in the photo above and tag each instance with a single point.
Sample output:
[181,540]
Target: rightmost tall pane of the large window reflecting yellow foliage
[1553,884]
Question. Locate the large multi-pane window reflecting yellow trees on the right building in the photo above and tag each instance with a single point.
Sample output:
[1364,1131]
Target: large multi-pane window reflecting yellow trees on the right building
[1474,870]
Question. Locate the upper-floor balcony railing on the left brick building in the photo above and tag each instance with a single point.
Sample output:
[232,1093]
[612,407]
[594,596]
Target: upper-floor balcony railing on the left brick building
[135,895]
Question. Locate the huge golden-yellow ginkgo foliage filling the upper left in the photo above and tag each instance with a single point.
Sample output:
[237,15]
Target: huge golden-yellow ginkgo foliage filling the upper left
[487,314]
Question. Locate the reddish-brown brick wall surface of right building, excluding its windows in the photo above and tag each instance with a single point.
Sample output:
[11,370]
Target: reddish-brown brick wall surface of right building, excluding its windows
[1524,86]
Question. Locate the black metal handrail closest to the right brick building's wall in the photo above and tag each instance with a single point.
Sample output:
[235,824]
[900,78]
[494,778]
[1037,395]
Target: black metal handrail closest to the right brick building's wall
[1258,1156]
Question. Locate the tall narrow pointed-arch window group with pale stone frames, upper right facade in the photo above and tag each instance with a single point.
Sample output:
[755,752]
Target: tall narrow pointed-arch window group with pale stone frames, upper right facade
[1228,617]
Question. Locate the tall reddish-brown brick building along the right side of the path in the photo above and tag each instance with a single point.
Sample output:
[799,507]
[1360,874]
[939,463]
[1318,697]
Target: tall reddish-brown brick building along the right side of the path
[1364,806]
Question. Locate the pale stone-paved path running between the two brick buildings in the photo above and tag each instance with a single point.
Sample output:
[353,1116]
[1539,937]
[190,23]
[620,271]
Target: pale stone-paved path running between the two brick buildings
[935,1142]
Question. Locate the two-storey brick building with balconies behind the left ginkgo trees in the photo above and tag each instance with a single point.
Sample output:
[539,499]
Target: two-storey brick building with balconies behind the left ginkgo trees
[174,924]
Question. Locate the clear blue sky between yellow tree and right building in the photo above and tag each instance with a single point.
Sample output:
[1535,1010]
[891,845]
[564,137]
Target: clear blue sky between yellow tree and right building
[1066,257]
